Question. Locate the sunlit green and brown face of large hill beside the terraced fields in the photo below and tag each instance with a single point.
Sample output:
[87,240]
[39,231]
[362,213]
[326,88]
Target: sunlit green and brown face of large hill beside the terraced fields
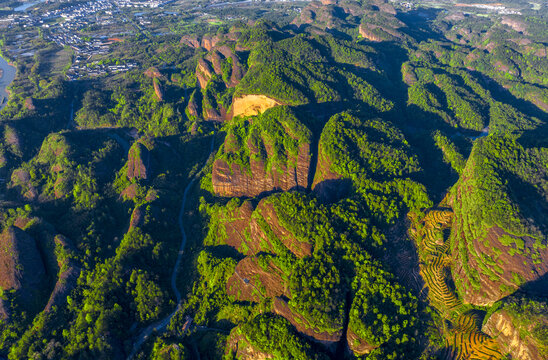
[489,263]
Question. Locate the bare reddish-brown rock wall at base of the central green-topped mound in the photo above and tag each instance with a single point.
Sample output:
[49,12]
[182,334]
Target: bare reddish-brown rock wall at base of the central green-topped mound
[234,181]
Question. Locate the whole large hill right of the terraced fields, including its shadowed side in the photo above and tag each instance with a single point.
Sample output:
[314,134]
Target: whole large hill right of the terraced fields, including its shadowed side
[497,238]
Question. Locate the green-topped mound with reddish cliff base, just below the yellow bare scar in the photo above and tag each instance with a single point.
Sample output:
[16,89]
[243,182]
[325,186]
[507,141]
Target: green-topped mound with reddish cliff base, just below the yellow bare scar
[273,163]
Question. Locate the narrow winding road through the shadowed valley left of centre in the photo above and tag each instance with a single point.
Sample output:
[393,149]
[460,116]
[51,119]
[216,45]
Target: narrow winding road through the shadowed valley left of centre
[161,324]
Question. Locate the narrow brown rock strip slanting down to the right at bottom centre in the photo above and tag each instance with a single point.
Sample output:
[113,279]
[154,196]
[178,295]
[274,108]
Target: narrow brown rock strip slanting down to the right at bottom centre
[281,307]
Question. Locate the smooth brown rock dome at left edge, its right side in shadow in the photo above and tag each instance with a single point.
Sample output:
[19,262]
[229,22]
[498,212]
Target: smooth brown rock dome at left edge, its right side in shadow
[21,267]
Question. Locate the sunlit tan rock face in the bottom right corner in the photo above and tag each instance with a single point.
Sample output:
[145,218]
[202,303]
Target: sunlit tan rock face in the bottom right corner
[502,327]
